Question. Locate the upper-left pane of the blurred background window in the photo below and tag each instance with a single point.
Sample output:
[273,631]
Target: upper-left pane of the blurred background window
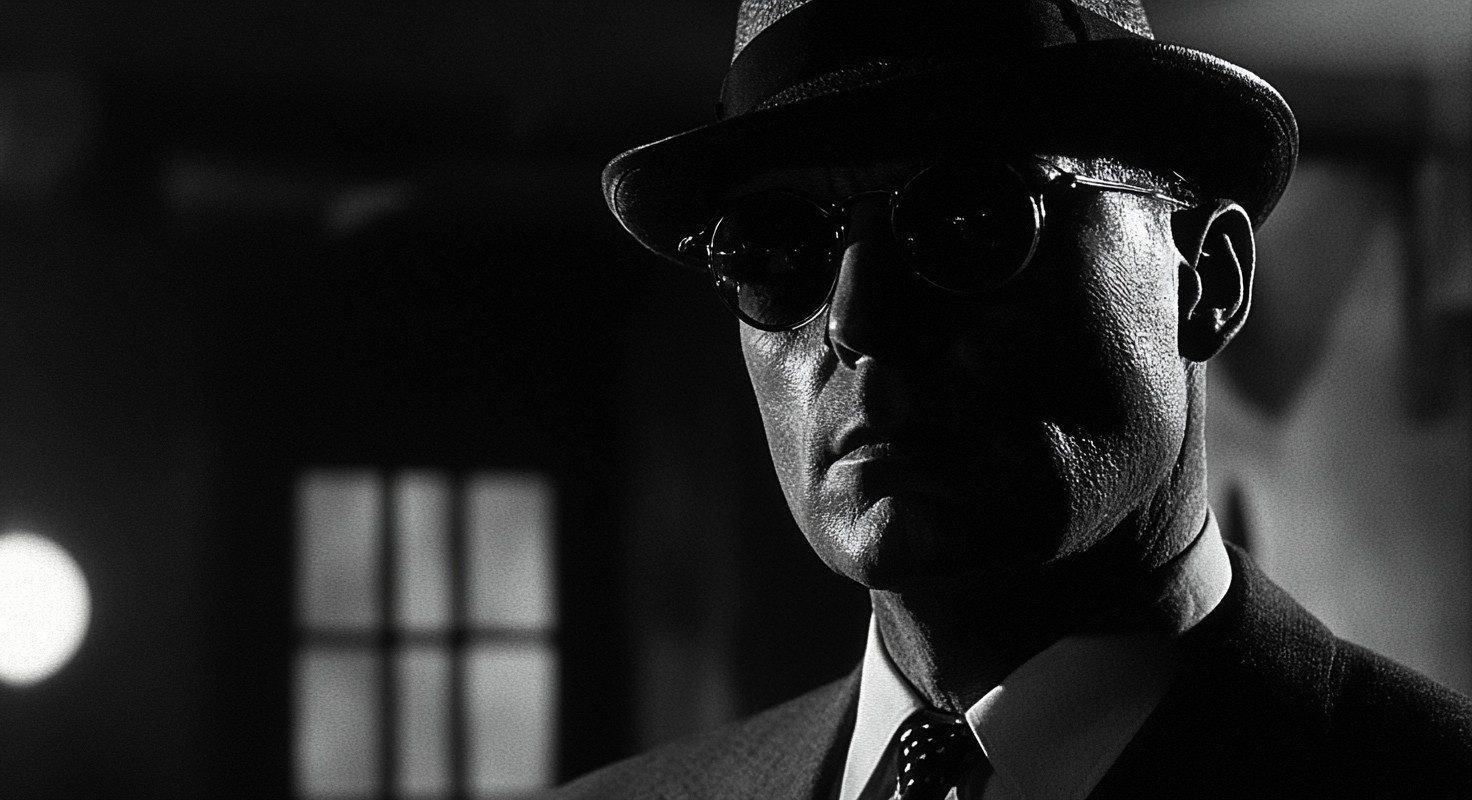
[338,530]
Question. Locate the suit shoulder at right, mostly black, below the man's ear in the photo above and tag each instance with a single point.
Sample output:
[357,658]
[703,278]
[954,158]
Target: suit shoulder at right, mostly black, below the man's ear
[1271,703]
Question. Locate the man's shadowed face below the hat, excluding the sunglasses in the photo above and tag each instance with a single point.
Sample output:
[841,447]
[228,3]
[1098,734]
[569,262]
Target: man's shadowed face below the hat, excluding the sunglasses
[922,435]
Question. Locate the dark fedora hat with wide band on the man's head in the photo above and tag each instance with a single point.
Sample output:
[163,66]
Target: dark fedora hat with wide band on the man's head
[819,82]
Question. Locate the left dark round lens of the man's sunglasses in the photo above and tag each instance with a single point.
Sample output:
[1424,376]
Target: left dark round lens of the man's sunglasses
[774,260]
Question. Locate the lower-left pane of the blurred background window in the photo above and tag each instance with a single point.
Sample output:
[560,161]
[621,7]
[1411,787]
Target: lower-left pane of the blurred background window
[338,724]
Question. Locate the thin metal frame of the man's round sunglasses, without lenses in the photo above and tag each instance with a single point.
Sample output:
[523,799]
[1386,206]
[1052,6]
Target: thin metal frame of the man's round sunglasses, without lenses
[837,214]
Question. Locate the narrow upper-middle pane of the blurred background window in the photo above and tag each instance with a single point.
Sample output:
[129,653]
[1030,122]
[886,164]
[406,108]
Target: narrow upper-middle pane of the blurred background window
[422,544]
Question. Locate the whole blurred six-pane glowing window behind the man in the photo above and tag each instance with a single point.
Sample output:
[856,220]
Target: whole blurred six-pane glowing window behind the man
[428,665]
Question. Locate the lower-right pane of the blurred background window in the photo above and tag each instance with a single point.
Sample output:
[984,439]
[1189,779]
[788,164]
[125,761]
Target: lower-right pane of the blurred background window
[512,711]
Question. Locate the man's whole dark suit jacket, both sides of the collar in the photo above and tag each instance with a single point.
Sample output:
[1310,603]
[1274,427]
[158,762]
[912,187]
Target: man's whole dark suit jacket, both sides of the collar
[1271,705]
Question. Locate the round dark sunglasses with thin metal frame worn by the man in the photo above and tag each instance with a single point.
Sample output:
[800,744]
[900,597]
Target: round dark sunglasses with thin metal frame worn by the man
[775,256]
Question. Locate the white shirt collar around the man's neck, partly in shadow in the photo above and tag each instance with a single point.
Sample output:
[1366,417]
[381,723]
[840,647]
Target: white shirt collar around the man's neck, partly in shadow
[1056,724]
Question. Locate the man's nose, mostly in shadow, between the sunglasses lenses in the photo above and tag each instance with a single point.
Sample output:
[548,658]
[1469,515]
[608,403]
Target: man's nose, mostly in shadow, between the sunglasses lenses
[875,303]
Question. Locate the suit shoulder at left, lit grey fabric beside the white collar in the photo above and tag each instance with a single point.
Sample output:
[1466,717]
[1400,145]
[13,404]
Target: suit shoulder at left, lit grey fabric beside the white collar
[788,743]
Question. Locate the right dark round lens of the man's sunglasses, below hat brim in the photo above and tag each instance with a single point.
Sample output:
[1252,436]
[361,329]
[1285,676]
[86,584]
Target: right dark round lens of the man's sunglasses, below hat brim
[968,231]
